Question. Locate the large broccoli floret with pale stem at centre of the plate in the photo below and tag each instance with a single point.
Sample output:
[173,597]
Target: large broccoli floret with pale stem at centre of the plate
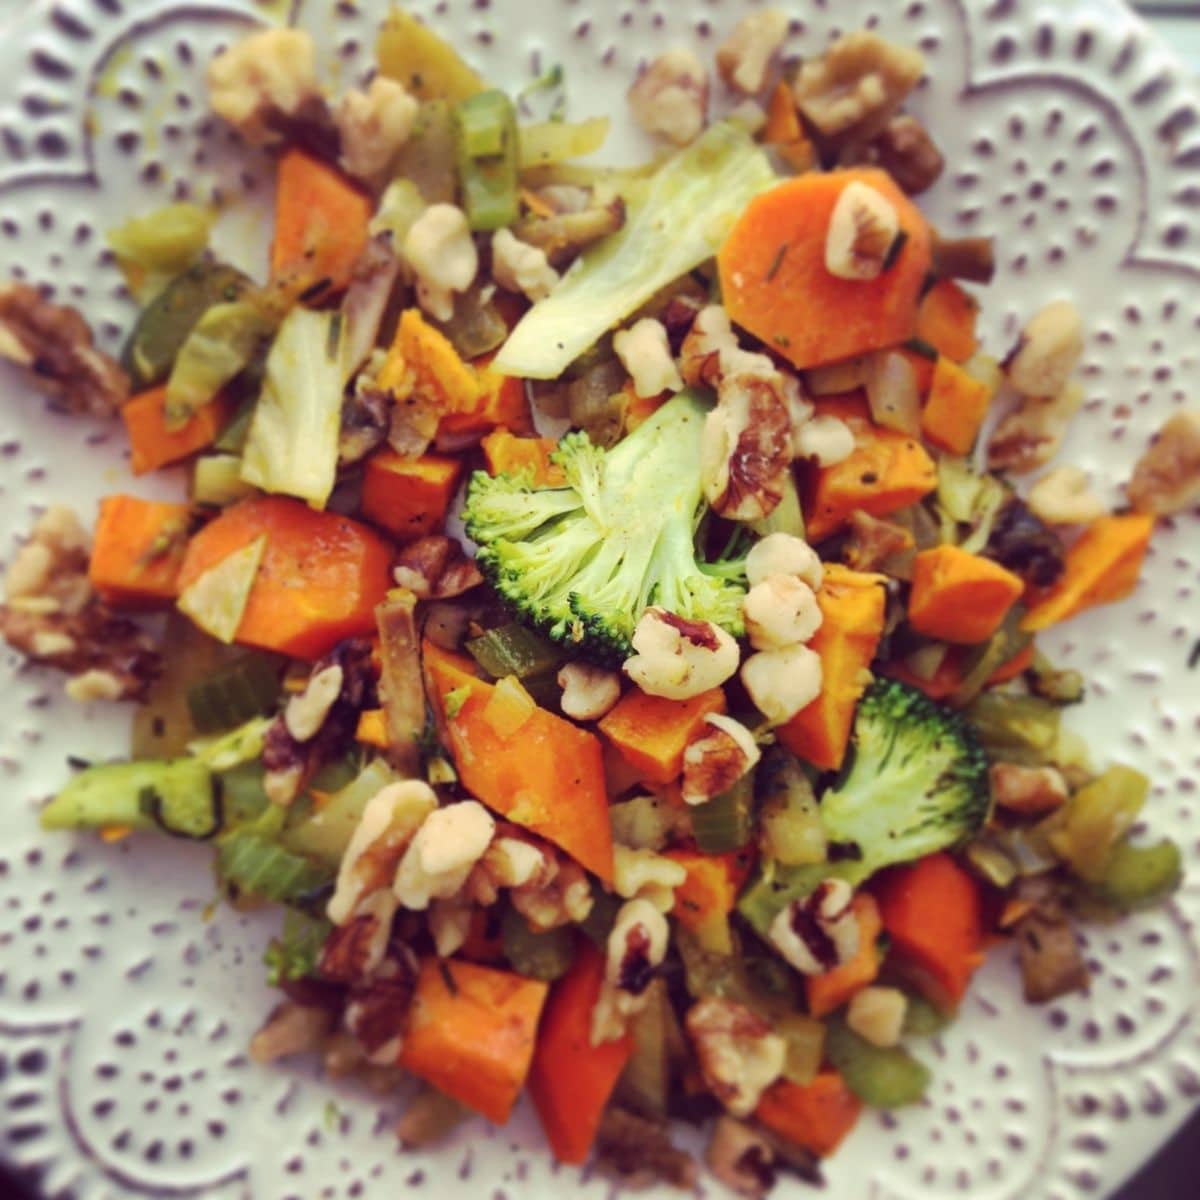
[583,562]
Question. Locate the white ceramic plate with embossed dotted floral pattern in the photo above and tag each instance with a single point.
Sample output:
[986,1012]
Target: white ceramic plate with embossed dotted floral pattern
[124,1010]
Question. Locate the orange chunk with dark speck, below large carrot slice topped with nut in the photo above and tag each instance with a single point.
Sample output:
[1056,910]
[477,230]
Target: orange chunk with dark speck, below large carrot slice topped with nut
[887,471]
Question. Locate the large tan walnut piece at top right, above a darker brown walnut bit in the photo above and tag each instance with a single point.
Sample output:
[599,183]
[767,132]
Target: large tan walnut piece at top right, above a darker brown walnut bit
[855,88]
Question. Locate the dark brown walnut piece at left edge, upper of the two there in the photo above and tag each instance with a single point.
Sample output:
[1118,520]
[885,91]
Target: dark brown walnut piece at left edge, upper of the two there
[55,346]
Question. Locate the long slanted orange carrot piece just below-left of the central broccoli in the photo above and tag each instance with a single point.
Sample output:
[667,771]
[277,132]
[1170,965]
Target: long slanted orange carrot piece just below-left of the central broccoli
[549,777]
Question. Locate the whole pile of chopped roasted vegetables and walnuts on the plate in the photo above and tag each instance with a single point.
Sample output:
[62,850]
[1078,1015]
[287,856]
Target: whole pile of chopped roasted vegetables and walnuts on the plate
[697,781]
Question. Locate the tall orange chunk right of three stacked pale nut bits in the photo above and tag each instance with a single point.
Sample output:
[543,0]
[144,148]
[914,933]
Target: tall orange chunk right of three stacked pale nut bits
[853,607]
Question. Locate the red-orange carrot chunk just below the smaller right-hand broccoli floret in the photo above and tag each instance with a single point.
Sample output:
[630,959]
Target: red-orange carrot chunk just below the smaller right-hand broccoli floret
[933,913]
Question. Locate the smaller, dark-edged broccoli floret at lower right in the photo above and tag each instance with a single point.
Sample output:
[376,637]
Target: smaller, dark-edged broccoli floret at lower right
[916,783]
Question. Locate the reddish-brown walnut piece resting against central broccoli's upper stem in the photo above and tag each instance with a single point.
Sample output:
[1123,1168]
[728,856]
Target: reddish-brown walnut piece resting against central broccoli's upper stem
[747,452]
